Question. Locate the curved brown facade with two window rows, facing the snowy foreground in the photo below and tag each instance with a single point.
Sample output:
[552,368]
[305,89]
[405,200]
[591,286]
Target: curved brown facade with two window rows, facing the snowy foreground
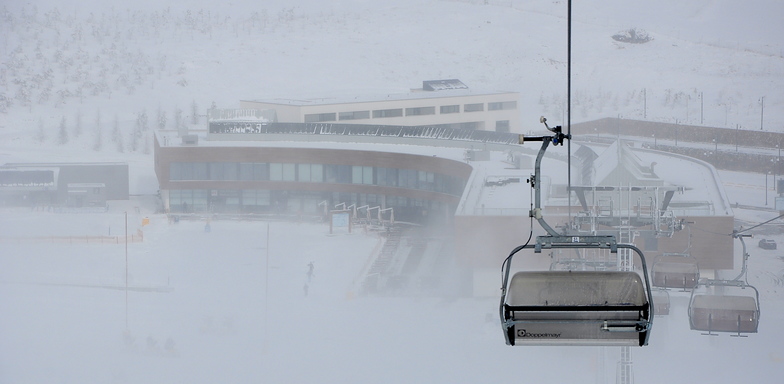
[222,175]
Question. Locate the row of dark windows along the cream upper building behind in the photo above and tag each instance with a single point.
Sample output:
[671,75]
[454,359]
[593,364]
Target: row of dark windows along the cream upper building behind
[415,111]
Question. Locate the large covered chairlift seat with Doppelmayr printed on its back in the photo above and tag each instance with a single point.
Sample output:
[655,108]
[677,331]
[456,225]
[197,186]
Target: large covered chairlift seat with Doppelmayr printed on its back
[577,308]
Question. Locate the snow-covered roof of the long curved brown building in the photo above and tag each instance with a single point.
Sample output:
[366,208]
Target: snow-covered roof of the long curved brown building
[497,186]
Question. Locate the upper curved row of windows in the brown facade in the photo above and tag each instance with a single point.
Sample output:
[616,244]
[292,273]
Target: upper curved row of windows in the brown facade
[316,173]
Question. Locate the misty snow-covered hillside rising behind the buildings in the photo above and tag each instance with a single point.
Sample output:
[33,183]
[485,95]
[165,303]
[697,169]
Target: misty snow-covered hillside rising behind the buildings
[95,77]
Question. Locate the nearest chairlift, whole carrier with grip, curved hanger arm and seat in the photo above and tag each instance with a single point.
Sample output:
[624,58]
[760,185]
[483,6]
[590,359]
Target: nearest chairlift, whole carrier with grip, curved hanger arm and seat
[592,308]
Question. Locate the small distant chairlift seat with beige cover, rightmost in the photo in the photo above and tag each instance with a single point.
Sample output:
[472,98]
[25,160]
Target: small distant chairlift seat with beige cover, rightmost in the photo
[724,313]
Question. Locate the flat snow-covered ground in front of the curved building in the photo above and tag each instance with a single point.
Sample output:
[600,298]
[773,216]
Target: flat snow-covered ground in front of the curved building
[236,316]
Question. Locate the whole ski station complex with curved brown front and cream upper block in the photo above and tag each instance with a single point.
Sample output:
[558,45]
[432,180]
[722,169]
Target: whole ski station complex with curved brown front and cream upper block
[307,159]
